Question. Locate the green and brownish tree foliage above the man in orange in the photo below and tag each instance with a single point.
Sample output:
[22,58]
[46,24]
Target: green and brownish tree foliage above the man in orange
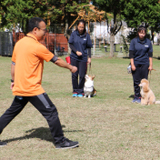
[53,11]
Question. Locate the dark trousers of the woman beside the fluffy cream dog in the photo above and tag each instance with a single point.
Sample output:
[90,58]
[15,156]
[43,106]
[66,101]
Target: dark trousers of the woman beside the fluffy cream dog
[140,73]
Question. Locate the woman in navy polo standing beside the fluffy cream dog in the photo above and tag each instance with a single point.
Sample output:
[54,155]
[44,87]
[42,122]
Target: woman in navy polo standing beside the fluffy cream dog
[140,53]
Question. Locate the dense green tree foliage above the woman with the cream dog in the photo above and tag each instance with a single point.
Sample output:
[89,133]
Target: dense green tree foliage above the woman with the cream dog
[142,11]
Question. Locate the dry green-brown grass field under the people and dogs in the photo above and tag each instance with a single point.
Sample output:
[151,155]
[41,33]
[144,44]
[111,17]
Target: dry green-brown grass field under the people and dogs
[108,126]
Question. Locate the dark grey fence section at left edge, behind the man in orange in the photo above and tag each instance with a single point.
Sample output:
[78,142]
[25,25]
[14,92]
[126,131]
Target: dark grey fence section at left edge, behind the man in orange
[6,43]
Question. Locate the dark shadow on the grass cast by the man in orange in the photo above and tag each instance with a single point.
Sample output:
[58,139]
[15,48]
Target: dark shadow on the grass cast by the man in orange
[42,133]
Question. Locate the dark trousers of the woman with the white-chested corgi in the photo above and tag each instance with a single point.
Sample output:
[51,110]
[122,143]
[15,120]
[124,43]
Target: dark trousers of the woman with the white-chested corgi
[82,68]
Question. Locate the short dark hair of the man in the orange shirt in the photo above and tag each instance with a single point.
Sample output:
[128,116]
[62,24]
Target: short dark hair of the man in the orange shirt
[34,22]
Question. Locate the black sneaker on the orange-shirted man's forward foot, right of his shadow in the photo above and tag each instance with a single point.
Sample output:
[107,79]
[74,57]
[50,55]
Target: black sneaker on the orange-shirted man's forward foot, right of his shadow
[66,143]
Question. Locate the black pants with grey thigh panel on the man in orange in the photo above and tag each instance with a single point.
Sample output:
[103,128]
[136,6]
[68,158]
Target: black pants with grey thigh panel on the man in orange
[43,104]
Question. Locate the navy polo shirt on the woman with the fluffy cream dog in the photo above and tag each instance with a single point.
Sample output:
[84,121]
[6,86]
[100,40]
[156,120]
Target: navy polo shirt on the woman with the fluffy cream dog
[142,50]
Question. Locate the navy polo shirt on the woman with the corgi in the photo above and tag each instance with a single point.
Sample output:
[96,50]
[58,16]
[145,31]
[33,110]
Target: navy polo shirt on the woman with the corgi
[81,43]
